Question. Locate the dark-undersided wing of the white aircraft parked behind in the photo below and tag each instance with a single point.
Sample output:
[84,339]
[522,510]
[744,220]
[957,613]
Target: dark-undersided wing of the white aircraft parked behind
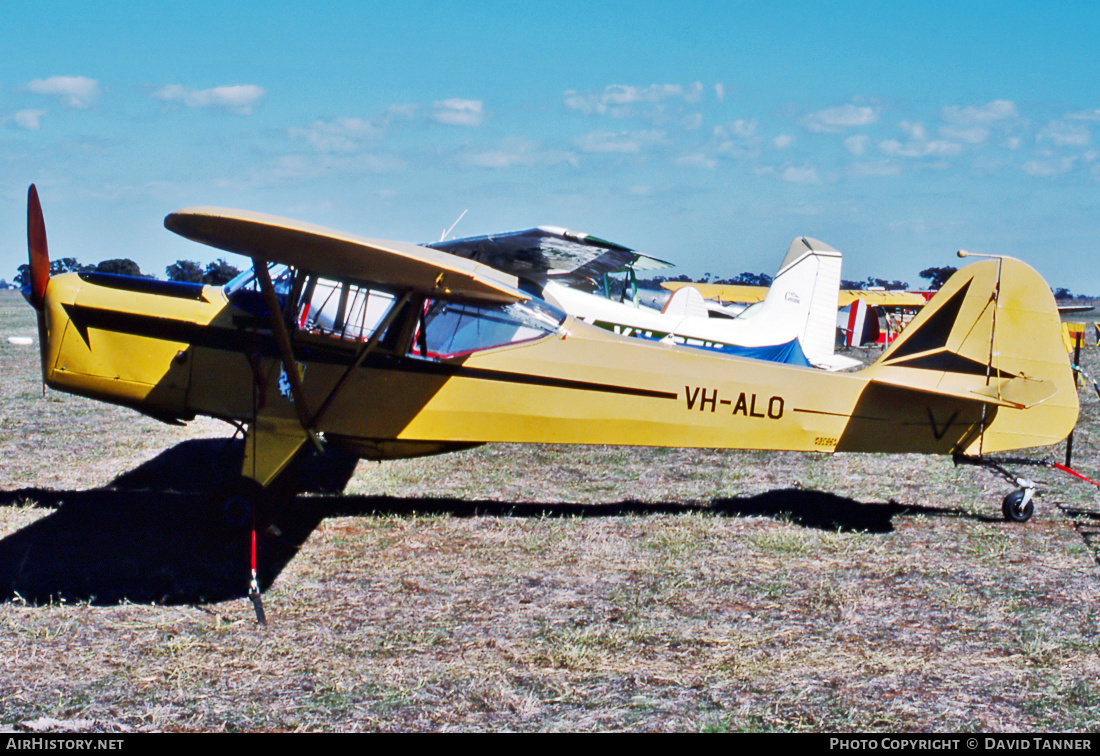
[549,253]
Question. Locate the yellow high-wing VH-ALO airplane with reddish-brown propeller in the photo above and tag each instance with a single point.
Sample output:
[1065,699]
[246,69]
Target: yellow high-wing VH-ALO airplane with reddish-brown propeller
[387,350]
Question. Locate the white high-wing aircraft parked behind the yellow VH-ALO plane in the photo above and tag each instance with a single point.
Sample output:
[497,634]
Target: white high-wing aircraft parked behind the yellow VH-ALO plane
[796,322]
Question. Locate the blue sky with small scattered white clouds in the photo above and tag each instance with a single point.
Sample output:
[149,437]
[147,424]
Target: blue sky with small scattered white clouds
[706,134]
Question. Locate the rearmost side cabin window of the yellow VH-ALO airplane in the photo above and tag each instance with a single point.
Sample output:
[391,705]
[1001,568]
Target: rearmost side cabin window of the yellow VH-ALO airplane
[455,328]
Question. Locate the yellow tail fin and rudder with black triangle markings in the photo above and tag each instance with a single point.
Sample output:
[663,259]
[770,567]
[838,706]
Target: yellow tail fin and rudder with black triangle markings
[992,335]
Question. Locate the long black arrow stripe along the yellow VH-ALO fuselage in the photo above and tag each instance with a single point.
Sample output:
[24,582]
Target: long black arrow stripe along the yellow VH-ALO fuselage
[243,342]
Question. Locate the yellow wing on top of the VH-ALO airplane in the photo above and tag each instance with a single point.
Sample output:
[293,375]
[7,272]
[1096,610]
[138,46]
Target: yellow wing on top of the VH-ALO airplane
[343,256]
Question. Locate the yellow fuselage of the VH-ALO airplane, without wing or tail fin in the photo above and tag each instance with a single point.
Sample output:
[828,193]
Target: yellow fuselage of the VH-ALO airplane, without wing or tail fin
[452,375]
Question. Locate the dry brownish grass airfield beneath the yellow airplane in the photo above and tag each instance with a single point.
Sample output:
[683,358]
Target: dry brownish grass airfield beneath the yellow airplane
[538,588]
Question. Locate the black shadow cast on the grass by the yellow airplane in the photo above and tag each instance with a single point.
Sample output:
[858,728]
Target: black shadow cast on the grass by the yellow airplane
[162,534]
